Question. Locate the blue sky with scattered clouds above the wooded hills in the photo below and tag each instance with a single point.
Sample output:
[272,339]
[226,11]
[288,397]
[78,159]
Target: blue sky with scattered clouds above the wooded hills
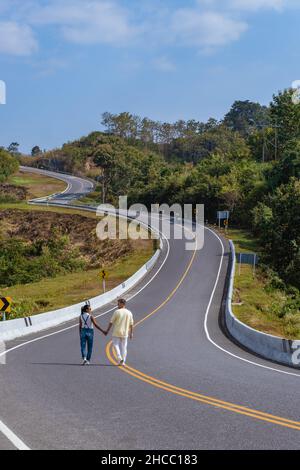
[65,62]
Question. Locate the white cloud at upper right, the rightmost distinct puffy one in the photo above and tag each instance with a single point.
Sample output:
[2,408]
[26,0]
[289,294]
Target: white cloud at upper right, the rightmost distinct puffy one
[205,30]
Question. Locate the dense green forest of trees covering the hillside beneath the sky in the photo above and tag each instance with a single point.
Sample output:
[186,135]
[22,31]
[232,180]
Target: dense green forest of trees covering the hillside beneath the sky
[248,163]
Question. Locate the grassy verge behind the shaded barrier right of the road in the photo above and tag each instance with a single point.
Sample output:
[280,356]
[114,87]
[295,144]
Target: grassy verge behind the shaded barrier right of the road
[255,302]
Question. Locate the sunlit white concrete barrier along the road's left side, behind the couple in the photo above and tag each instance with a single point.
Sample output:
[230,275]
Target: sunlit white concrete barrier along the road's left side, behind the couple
[13,329]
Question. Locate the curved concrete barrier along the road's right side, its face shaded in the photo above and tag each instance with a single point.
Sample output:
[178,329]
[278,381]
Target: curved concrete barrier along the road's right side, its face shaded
[265,345]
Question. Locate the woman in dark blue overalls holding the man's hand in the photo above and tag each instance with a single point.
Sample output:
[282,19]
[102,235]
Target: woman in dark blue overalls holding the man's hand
[86,331]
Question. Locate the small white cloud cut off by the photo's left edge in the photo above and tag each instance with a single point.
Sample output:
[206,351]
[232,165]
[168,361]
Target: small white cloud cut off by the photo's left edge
[16,39]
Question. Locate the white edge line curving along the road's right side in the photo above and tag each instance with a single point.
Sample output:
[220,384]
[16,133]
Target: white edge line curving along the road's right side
[206,320]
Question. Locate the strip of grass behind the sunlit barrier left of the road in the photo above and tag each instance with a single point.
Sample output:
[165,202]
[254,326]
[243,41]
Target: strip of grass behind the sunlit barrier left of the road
[65,290]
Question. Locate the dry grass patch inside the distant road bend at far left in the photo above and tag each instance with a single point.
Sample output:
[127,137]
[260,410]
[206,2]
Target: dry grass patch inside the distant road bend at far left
[37,185]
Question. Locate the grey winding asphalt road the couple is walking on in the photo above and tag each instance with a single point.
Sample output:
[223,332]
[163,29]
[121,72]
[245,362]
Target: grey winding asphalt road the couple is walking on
[186,386]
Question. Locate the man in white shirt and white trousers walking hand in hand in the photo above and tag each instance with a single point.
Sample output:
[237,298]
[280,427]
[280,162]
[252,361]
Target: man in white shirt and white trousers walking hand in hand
[122,324]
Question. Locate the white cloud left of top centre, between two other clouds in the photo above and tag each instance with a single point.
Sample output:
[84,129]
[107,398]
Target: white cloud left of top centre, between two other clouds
[88,22]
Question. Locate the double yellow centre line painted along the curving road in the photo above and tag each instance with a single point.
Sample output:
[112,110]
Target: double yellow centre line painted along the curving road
[252,413]
